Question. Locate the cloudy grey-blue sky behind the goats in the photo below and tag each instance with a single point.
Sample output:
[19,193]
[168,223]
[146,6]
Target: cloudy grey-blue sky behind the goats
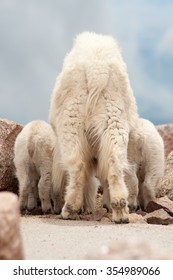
[35,36]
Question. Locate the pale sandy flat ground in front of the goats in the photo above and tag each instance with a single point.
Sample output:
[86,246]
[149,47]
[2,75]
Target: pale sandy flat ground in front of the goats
[47,237]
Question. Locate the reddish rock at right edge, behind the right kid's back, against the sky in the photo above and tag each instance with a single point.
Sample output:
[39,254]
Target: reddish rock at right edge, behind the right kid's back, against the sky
[166,131]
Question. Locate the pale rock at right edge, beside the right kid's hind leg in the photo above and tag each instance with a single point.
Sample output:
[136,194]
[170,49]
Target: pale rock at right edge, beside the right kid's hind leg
[165,186]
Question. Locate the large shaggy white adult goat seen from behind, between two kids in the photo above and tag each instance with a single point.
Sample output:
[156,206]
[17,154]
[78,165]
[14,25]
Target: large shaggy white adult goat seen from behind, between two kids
[92,111]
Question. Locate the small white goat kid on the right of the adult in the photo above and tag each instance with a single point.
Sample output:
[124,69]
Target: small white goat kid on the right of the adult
[147,161]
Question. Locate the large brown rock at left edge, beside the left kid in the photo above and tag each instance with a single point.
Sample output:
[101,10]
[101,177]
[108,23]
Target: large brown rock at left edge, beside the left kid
[8,133]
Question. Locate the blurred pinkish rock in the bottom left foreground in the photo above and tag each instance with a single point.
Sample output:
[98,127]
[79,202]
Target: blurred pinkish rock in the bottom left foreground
[10,237]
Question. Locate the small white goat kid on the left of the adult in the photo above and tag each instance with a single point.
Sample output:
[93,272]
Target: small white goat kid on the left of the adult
[33,156]
